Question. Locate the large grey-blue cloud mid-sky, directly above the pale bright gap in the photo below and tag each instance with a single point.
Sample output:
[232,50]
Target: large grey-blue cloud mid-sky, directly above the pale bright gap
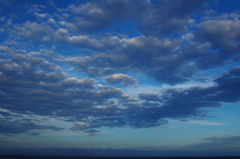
[156,60]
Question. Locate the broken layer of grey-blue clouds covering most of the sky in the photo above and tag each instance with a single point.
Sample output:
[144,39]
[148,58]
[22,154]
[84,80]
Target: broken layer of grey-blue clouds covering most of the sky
[73,64]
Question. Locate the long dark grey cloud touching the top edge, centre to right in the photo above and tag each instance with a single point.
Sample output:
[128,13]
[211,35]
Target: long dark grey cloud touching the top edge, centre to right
[93,16]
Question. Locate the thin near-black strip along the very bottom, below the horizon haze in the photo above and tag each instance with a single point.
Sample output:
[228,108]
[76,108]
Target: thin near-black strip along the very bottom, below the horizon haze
[64,157]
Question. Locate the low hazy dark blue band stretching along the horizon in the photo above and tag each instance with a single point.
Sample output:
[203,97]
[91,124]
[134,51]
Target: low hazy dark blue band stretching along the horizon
[90,152]
